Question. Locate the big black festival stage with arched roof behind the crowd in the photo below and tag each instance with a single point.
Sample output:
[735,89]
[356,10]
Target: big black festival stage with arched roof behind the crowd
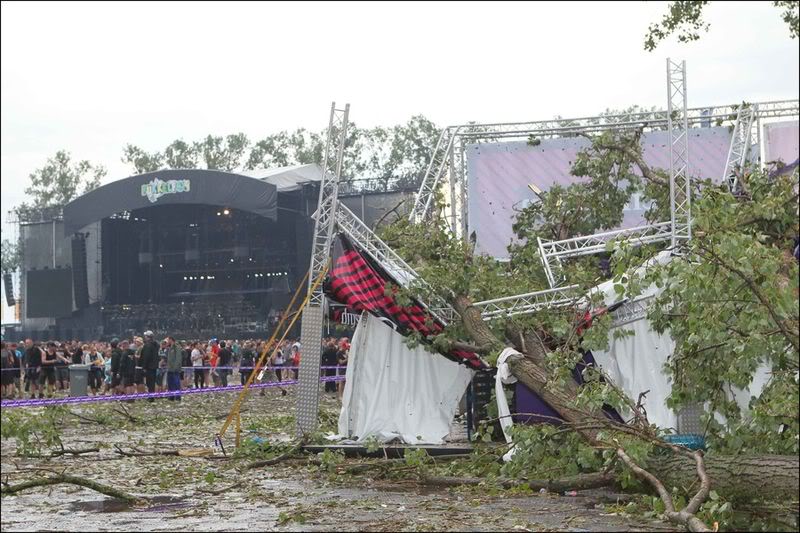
[192,253]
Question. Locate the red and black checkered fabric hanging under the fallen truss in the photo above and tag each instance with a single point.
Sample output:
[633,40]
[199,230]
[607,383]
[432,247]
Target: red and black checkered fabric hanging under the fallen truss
[360,284]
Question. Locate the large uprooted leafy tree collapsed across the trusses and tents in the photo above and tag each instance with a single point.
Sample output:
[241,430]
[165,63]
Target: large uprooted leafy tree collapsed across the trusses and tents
[729,299]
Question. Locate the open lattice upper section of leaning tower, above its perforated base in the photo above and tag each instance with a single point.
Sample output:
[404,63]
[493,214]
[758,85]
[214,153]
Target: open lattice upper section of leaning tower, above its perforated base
[328,197]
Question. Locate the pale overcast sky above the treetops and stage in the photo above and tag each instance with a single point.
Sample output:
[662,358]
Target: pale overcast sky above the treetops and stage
[91,77]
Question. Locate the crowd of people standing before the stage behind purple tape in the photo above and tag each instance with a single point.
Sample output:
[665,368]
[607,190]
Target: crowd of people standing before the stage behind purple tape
[142,364]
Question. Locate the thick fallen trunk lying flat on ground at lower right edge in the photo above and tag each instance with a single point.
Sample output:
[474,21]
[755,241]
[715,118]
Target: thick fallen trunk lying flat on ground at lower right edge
[735,477]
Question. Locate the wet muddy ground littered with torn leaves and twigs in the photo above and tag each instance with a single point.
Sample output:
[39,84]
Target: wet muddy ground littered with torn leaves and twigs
[295,495]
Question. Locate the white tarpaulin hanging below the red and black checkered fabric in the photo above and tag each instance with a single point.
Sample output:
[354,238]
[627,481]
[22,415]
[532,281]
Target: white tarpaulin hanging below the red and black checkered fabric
[393,391]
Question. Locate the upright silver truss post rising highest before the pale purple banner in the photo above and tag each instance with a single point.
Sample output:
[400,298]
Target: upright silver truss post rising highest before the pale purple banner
[680,198]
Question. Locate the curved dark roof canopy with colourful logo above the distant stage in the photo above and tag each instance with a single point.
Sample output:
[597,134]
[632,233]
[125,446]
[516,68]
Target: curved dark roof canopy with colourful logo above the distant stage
[190,186]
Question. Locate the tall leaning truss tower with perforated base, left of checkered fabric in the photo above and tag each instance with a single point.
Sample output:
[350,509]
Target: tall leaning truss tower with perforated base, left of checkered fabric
[313,315]
